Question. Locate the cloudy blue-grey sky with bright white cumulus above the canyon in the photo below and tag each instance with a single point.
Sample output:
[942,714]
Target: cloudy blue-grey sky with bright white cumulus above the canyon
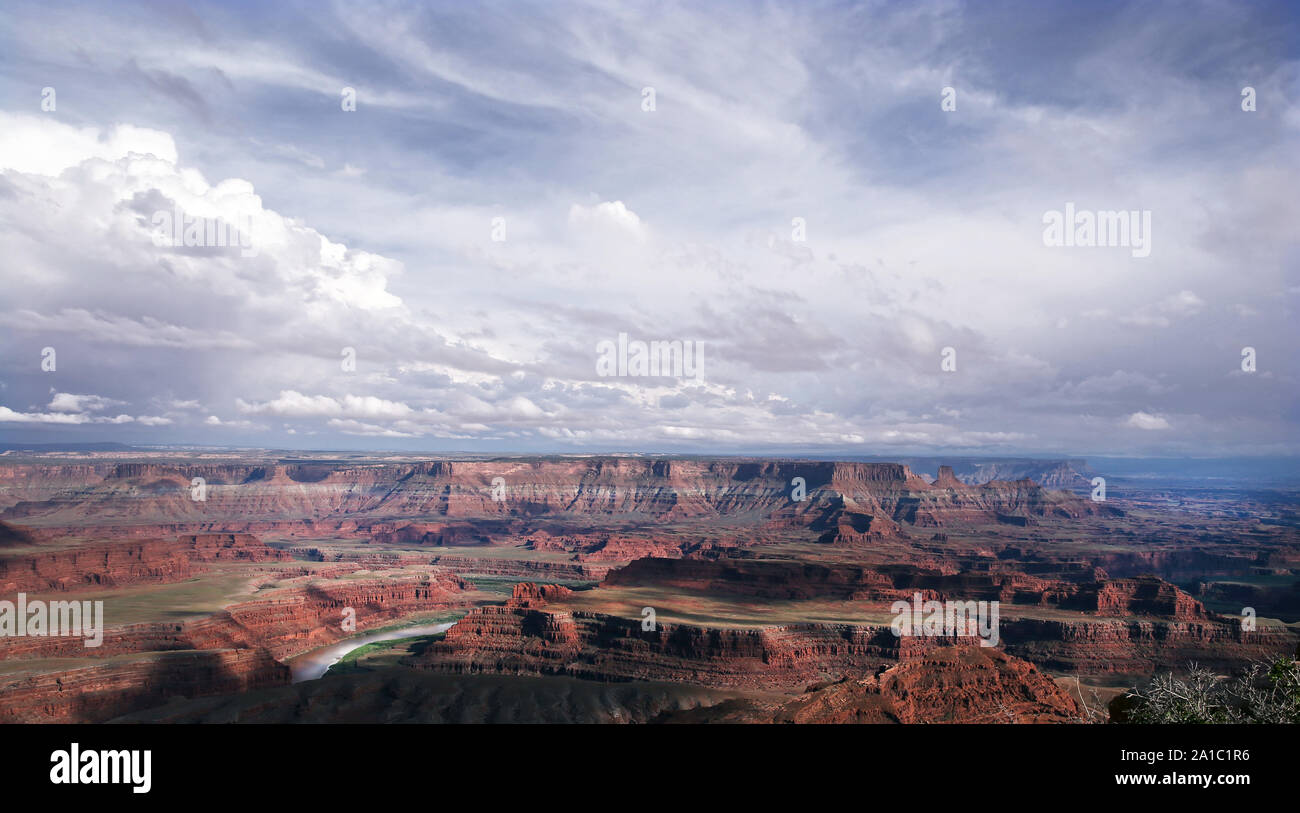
[436,269]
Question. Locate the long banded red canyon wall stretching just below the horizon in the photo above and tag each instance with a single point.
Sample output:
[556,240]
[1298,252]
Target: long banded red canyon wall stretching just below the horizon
[291,498]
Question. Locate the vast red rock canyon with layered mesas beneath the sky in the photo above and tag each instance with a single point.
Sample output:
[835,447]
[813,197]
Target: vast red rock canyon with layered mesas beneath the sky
[770,583]
